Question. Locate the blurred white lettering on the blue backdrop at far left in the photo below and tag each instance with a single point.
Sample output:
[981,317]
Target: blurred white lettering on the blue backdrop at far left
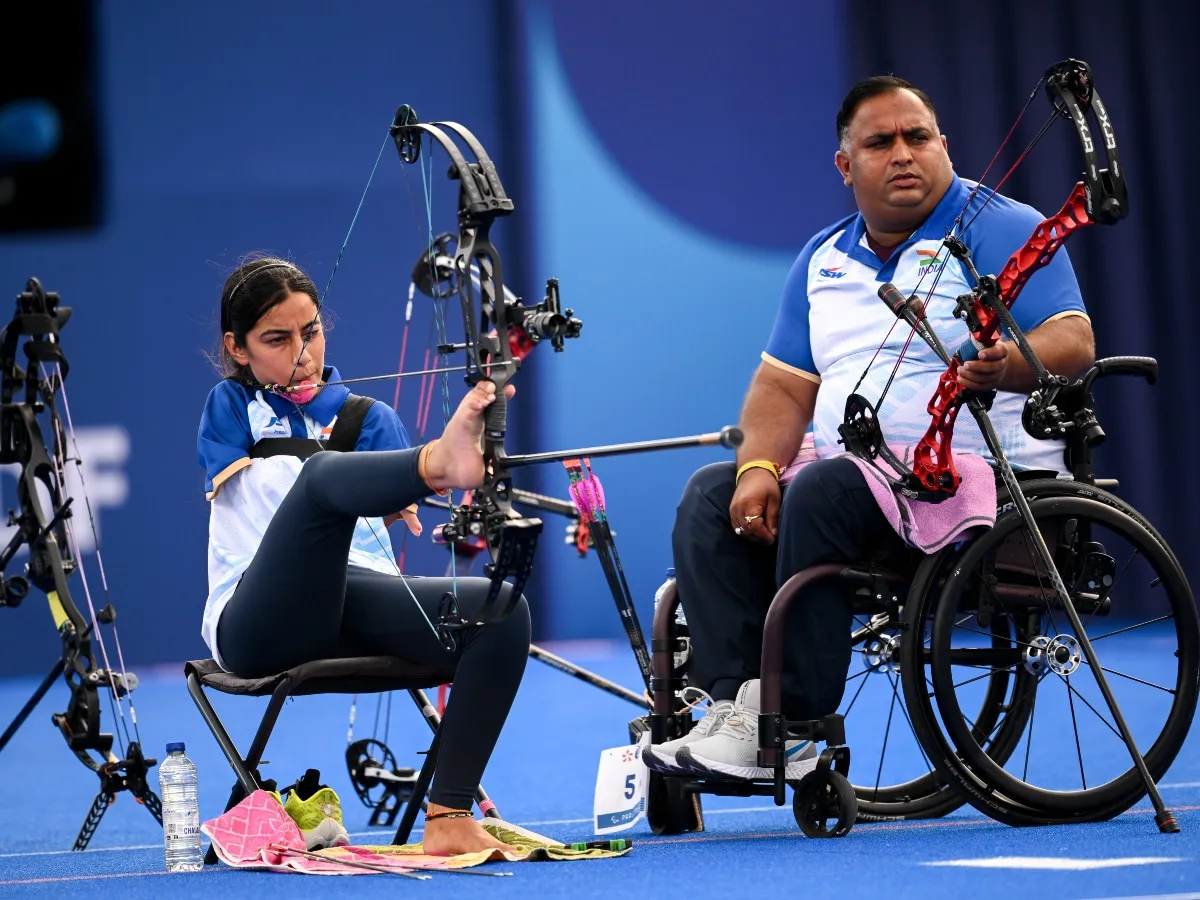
[100,478]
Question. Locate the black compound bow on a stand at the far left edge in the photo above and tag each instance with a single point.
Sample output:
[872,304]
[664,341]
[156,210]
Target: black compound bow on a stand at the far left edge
[53,559]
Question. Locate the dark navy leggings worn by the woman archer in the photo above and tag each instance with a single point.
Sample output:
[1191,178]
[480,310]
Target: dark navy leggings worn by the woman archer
[299,602]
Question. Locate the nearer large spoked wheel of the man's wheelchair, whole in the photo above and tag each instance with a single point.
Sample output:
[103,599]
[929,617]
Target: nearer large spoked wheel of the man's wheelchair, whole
[1137,610]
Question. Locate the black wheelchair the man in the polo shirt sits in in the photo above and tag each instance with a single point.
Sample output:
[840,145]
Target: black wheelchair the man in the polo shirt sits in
[980,653]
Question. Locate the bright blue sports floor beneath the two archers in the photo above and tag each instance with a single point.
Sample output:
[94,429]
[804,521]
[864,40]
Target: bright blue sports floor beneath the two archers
[543,777]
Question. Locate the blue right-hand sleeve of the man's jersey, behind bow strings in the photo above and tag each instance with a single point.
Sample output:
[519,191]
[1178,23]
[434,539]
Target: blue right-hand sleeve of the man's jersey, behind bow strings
[1051,292]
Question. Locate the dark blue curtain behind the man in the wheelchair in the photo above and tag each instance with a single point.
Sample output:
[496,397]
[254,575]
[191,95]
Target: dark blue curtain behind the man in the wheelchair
[980,65]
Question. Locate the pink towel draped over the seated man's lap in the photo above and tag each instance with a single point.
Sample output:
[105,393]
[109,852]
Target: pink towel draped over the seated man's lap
[923,525]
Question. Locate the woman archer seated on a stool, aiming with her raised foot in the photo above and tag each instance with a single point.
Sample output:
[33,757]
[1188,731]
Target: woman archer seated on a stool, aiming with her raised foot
[301,566]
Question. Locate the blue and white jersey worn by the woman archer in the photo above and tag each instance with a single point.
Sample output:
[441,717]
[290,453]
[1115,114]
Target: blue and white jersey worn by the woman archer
[245,494]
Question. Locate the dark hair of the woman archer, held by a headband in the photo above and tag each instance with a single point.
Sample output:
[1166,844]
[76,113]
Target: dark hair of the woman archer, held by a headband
[250,291]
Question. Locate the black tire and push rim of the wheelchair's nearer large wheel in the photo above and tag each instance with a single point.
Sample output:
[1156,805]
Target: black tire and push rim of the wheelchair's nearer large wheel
[980,776]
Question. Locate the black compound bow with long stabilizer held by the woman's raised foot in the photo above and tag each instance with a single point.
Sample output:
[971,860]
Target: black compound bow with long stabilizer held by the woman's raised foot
[499,333]
